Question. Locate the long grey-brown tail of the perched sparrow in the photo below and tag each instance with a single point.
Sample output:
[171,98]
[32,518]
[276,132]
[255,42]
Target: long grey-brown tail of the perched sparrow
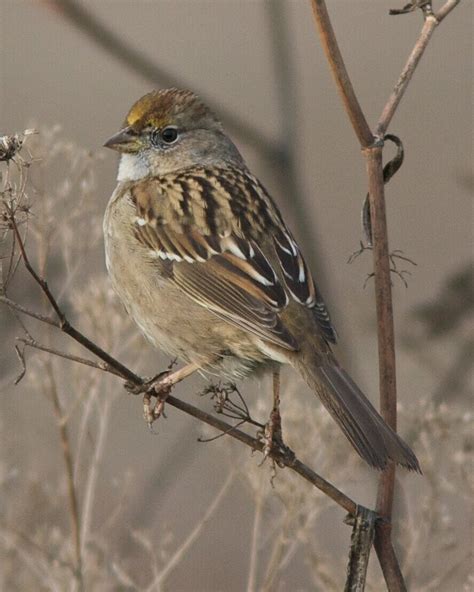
[373,439]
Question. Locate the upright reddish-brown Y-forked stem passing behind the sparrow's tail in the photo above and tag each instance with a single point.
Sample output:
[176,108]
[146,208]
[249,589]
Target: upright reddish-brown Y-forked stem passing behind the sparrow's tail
[372,145]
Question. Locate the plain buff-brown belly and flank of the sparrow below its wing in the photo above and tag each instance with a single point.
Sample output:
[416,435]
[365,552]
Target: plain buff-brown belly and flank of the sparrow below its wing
[172,321]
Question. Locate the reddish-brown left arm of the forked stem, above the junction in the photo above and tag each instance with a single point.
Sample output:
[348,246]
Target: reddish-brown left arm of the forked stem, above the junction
[338,69]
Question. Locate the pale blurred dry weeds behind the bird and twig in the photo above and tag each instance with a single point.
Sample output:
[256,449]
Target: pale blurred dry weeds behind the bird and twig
[54,533]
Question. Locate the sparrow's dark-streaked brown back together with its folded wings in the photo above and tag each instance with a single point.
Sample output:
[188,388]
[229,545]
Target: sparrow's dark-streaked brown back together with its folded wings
[209,223]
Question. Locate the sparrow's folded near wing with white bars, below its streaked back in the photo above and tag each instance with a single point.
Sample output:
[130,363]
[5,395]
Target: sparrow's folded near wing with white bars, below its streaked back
[230,276]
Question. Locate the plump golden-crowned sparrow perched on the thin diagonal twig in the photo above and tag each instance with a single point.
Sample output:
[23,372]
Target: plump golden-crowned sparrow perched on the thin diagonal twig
[200,256]
